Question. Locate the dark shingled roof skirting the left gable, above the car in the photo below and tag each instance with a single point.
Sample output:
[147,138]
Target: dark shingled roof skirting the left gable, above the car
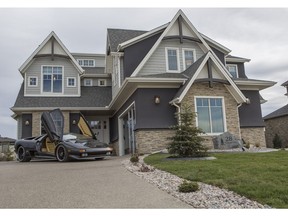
[90,97]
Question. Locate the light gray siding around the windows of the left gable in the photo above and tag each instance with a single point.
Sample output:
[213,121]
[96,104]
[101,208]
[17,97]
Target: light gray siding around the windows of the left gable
[35,70]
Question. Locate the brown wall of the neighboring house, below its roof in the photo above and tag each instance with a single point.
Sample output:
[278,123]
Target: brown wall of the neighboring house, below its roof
[277,125]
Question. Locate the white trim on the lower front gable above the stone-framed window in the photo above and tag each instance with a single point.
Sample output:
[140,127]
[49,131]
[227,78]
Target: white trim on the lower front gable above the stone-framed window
[233,89]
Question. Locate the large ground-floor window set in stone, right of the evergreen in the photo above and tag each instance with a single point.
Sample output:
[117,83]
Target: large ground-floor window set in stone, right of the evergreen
[210,115]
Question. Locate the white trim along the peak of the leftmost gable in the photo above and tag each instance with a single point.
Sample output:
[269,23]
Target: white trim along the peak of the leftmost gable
[52,34]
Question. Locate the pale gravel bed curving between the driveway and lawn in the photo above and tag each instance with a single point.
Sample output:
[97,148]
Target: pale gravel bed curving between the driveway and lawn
[208,197]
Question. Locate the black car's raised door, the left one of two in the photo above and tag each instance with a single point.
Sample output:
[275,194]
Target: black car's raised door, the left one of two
[53,123]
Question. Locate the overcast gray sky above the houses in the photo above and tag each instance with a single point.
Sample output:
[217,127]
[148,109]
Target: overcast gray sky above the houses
[257,34]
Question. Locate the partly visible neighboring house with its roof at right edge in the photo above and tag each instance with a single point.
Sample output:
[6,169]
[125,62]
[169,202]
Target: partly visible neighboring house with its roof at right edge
[276,123]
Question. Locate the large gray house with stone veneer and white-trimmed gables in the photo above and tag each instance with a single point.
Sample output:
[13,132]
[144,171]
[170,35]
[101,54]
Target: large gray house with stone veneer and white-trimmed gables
[131,94]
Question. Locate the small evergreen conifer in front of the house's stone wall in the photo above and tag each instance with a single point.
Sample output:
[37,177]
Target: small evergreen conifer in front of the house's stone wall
[186,142]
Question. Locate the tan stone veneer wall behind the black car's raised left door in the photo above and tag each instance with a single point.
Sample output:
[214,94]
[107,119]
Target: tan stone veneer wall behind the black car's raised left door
[36,123]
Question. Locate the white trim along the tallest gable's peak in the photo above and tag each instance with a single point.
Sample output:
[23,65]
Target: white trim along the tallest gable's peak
[151,51]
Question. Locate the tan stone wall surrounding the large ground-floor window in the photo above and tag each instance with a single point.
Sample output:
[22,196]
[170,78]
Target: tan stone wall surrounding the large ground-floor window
[231,109]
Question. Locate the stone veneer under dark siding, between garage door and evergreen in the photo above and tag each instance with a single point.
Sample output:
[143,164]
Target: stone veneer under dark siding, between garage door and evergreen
[152,140]
